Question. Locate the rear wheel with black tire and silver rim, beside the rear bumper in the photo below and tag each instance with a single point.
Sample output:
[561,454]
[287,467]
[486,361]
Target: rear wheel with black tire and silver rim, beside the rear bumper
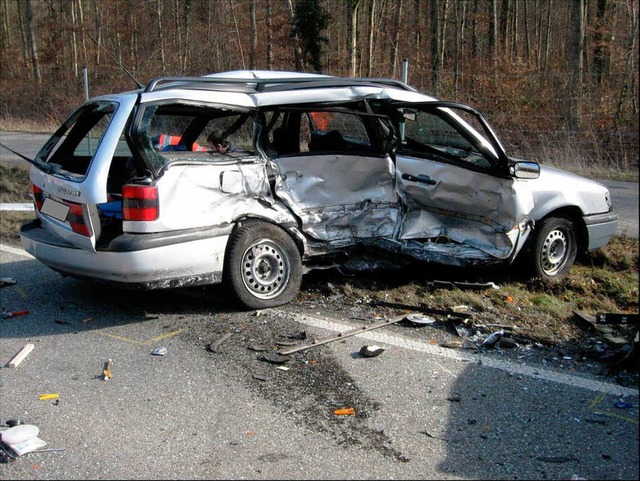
[263,267]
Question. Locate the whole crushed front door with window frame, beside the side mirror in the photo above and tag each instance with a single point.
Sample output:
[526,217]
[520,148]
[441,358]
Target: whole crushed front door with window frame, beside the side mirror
[456,184]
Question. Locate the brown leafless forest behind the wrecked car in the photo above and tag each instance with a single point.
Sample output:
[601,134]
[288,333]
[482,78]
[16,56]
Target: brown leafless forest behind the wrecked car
[557,79]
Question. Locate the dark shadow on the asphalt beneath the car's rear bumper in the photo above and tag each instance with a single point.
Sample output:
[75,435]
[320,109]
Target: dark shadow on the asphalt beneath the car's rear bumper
[45,303]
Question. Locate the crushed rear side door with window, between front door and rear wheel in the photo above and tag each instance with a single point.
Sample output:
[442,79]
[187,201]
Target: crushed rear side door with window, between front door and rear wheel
[333,173]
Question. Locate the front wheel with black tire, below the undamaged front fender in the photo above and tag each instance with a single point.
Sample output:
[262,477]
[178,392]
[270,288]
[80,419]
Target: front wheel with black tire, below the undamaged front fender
[554,248]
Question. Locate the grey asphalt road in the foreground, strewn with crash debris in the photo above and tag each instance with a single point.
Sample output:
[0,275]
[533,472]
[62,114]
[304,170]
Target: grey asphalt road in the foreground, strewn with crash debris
[441,414]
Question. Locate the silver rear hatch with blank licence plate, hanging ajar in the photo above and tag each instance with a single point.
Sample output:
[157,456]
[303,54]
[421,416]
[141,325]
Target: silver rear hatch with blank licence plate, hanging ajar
[72,171]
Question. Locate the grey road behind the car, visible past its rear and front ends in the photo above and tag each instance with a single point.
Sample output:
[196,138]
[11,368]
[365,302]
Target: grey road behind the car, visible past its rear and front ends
[623,194]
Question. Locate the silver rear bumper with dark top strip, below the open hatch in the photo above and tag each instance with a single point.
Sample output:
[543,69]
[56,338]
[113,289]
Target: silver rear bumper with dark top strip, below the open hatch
[146,260]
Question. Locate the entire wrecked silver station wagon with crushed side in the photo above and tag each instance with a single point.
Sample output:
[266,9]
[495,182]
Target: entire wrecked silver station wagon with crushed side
[323,171]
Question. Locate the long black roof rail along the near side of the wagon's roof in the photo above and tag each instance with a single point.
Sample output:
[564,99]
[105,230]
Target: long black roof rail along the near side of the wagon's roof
[270,84]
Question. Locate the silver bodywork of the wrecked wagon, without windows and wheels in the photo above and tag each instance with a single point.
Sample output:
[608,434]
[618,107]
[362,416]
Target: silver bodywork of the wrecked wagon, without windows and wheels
[326,202]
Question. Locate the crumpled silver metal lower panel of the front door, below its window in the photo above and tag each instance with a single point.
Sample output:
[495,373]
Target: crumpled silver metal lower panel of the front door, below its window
[486,215]
